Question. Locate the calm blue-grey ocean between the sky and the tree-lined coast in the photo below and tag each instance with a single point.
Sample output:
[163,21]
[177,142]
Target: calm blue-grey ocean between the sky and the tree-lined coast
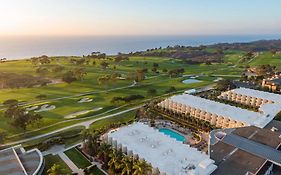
[26,47]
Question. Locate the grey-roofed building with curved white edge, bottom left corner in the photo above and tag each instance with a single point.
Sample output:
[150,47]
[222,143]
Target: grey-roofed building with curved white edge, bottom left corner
[17,161]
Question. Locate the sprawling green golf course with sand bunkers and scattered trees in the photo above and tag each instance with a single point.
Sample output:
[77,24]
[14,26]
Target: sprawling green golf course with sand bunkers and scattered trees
[107,85]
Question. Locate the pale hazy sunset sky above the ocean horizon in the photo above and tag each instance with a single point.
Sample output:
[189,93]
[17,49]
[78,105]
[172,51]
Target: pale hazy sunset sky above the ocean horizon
[139,17]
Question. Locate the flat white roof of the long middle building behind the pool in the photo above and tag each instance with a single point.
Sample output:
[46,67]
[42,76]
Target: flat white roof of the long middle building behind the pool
[235,113]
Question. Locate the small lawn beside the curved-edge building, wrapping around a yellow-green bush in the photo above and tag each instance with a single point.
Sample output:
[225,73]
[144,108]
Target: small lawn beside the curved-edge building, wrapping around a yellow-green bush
[50,160]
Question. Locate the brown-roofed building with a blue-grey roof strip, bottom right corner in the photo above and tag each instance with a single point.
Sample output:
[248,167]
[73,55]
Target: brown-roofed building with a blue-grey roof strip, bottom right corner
[246,151]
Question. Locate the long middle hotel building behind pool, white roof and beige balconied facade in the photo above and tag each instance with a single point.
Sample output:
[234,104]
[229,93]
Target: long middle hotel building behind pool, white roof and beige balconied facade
[218,114]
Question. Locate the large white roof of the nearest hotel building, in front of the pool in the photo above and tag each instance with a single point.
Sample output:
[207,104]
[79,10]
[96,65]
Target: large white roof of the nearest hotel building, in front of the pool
[163,152]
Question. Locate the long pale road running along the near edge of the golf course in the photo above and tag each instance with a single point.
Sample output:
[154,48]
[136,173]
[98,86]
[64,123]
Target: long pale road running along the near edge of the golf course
[86,124]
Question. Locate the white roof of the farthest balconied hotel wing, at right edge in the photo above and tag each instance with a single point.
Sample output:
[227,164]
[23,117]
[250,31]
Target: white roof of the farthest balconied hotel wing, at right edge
[258,94]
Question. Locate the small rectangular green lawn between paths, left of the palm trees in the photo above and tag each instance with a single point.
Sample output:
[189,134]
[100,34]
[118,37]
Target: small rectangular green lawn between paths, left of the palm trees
[77,158]
